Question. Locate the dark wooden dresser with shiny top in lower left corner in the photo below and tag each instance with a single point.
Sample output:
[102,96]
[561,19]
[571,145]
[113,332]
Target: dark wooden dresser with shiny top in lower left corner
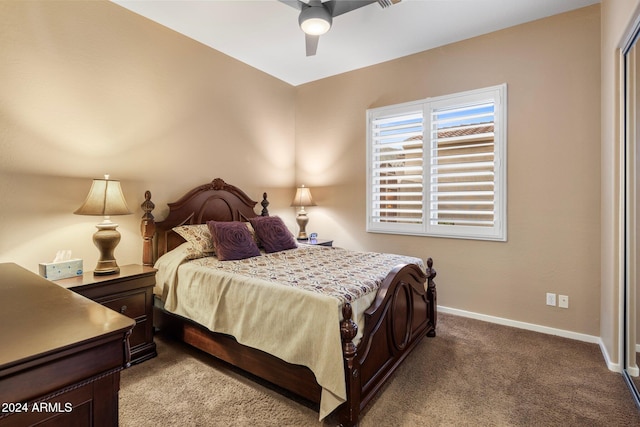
[61,354]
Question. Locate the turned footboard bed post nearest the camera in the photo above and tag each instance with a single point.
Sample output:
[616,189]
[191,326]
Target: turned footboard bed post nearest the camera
[350,411]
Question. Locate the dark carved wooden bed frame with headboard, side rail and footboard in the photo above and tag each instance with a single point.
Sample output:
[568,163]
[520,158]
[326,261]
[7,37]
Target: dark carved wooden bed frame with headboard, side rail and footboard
[402,313]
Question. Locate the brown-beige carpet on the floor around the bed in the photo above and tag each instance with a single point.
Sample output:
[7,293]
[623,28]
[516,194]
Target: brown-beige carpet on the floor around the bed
[472,374]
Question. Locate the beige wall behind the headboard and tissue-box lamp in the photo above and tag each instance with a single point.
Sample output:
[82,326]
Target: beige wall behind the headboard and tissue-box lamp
[88,88]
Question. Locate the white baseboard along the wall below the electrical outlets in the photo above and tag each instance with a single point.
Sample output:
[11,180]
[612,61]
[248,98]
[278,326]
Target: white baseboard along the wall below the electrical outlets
[537,328]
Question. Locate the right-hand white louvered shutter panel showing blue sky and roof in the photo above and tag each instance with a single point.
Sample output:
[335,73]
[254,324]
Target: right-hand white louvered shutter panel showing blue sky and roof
[462,169]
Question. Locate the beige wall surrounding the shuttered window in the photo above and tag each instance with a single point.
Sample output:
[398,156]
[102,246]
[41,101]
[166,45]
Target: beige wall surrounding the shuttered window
[552,69]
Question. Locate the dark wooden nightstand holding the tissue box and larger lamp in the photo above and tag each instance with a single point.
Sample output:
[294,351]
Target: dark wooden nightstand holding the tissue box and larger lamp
[129,292]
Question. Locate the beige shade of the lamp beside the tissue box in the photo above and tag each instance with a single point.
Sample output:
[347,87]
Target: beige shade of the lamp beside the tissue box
[105,199]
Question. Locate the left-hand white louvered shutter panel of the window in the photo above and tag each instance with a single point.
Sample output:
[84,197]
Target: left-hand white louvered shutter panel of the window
[397,169]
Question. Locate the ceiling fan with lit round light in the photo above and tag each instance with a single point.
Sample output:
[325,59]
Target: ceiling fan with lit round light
[316,16]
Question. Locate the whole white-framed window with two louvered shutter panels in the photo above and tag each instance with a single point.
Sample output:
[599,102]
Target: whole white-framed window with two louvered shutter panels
[437,167]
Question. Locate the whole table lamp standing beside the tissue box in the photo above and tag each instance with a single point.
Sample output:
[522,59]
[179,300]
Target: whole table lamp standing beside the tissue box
[105,199]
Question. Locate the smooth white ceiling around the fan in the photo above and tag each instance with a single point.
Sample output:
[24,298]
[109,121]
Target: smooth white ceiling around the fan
[265,33]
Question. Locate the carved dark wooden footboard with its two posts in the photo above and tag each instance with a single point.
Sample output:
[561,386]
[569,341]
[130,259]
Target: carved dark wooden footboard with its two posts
[401,315]
